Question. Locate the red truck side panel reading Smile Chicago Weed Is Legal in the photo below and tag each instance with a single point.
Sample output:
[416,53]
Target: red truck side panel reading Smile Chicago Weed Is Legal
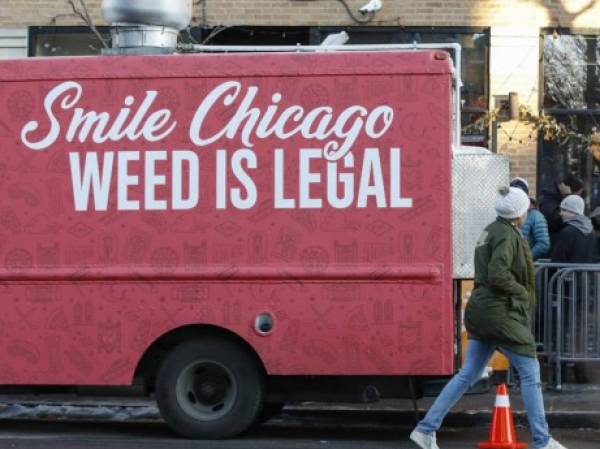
[139,195]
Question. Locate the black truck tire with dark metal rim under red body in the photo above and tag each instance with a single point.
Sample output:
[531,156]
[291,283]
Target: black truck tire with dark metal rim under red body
[210,389]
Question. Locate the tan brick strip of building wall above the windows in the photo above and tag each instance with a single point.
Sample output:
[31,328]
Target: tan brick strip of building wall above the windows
[541,13]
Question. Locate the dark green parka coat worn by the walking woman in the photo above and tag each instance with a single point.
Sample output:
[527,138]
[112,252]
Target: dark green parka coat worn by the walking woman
[504,294]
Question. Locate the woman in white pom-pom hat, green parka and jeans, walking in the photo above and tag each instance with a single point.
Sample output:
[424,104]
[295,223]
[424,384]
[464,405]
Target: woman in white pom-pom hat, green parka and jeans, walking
[497,317]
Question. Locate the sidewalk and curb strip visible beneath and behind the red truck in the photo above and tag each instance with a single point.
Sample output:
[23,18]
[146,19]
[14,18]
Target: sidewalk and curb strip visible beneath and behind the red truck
[574,407]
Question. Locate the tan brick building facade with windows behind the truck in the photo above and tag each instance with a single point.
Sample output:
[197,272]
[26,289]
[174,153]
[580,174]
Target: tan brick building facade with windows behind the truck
[544,52]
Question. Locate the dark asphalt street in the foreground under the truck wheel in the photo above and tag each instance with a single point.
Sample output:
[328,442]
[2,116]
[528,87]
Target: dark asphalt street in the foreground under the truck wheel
[276,435]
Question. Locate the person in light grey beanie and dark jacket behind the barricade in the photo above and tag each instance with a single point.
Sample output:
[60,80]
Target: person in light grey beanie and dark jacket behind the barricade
[576,241]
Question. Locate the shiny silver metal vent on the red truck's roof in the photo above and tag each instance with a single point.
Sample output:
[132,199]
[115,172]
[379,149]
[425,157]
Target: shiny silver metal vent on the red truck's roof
[146,26]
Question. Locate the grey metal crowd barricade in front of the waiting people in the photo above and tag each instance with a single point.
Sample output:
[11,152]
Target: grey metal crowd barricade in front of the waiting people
[566,322]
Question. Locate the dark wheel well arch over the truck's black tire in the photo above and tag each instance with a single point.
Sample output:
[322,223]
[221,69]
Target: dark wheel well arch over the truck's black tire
[148,365]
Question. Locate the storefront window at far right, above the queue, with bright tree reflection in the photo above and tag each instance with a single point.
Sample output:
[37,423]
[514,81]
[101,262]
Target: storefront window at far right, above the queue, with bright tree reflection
[572,97]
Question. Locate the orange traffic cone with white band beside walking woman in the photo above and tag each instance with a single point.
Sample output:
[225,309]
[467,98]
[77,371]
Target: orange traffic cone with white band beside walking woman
[502,431]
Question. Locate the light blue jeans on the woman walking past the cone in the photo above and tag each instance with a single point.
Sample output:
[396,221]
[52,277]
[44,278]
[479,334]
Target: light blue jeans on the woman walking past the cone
[478,354]
